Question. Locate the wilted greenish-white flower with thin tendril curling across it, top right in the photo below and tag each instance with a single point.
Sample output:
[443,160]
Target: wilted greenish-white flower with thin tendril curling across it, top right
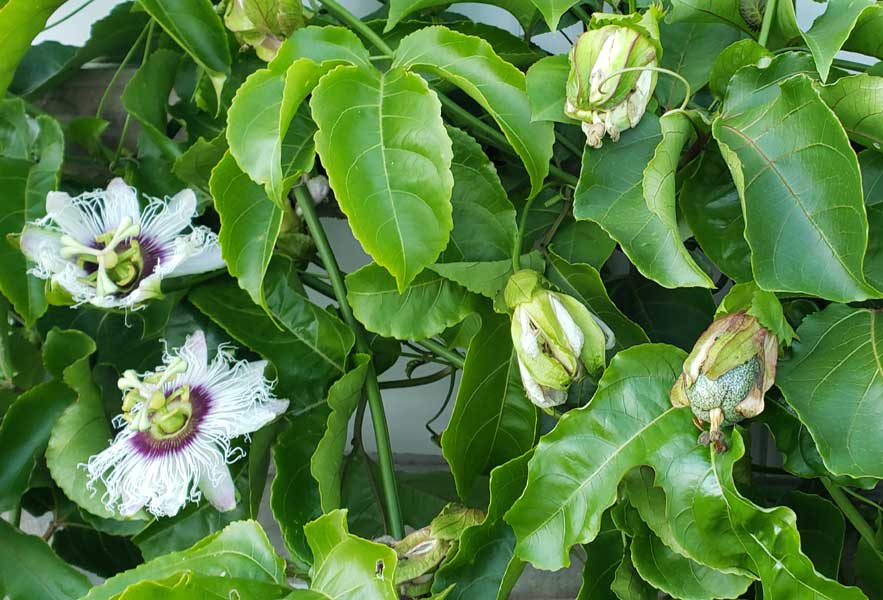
[599,93]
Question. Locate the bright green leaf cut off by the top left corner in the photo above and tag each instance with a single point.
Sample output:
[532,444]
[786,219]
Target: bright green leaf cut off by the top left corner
[21,21]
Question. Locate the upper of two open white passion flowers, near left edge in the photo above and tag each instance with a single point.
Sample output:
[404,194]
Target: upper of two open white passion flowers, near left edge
[100,248]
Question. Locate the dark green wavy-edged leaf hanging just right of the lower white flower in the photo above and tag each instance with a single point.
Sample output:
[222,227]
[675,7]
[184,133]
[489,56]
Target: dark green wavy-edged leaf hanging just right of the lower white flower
[294,498]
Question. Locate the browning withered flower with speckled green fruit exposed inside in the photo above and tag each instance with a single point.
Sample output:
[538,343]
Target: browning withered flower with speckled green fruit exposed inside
[728,372]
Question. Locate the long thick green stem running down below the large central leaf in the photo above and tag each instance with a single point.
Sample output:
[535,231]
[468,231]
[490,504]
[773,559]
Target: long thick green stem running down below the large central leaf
[372,389]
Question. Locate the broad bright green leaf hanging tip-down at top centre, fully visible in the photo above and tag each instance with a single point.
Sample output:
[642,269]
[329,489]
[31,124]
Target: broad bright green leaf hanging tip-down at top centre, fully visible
[383,144]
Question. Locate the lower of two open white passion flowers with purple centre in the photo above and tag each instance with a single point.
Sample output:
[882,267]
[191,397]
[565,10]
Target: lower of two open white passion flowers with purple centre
[176,431]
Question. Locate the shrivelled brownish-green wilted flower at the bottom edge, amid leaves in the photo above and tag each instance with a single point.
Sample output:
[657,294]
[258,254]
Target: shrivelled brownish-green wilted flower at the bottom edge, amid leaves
[421,552]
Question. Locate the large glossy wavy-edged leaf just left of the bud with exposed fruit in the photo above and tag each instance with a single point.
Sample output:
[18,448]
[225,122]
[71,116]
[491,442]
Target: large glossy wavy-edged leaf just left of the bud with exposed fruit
[573,475]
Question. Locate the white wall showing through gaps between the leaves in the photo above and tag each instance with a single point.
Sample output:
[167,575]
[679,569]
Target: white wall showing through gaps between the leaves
[407,409]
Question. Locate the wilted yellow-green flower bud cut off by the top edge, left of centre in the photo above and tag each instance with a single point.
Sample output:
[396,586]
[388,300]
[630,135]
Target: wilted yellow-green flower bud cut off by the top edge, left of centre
[263,25]
